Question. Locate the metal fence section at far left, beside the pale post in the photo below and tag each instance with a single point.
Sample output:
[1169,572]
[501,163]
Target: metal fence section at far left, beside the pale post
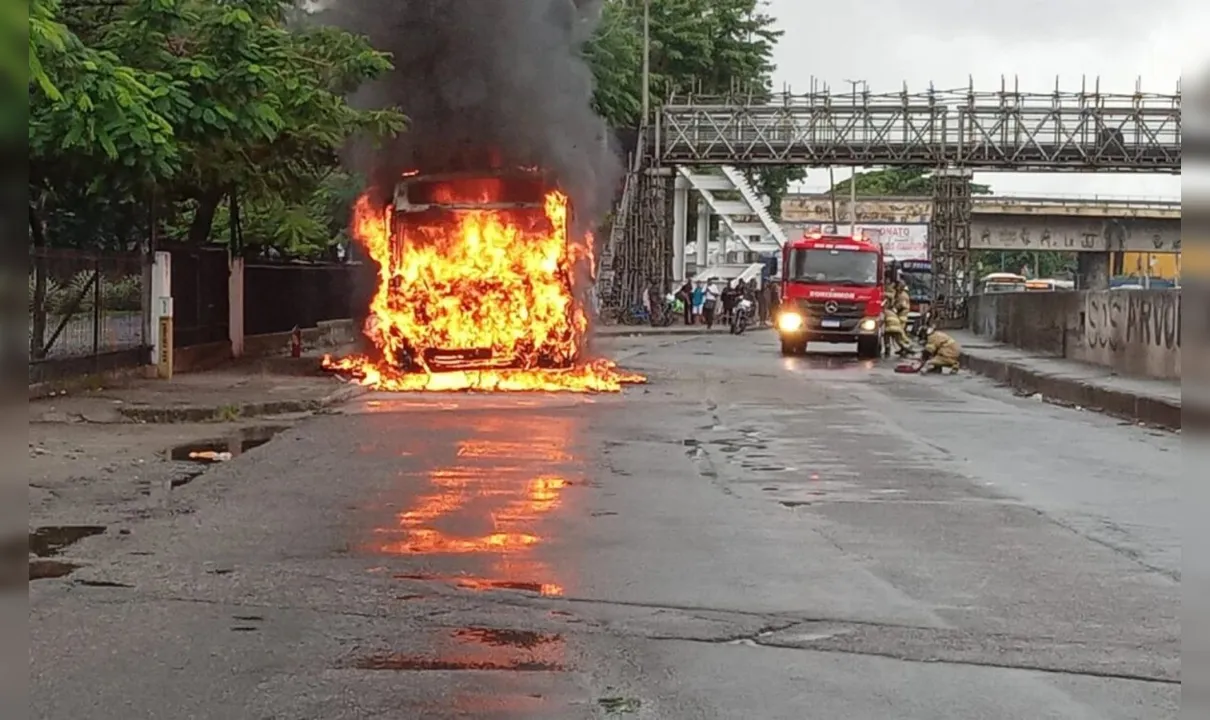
[87,312]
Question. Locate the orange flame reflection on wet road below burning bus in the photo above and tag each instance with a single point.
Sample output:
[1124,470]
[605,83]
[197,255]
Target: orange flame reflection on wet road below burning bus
[489,504]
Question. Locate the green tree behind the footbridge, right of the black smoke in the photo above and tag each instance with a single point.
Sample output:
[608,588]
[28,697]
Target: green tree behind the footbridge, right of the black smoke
[711,48]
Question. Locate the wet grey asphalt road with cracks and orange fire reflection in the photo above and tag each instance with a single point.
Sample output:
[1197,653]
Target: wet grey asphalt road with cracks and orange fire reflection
[748,537]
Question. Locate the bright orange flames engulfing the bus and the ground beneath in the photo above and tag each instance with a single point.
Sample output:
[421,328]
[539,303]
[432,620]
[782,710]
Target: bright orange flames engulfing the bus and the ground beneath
[491,283]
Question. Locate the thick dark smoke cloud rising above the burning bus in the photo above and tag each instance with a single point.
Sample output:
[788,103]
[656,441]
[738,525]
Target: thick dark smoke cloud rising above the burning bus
[488,84]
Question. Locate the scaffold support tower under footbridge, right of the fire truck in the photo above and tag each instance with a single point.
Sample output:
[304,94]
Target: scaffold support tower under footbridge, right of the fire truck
[949,240]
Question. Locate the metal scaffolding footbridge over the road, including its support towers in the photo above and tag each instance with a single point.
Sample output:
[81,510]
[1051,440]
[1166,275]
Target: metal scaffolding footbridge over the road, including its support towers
[952,133]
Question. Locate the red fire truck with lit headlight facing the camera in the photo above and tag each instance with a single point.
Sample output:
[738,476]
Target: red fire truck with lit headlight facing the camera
[832,292]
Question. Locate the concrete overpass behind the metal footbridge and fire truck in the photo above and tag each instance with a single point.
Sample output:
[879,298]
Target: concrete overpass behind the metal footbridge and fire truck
[1007,223]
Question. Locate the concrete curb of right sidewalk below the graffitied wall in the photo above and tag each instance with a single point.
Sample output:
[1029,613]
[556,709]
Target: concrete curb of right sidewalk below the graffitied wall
[1120,404]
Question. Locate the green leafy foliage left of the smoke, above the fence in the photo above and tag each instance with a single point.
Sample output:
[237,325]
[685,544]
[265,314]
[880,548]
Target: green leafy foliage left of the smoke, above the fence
[199,101]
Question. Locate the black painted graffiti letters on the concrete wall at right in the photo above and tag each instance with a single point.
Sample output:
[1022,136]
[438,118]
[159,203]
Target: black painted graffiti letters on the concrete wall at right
[1119,320]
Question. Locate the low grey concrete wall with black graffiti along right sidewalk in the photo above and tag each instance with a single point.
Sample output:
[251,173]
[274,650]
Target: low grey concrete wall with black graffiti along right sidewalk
[1133,332]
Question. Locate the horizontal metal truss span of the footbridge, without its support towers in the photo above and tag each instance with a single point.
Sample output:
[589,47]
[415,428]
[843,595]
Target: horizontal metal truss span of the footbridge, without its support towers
[1002,130]
